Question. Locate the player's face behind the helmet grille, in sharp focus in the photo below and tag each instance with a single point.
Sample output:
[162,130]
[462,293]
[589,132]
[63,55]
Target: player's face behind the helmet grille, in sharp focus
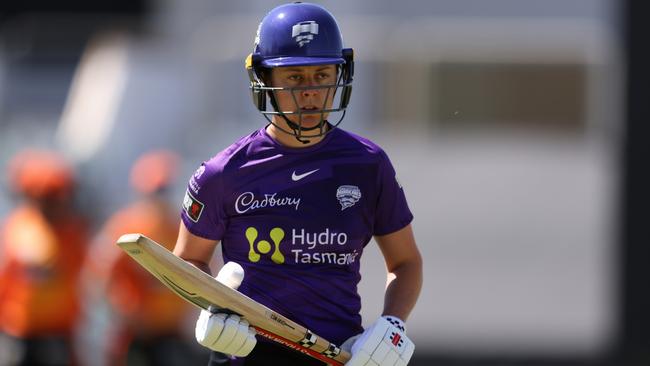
[308,101]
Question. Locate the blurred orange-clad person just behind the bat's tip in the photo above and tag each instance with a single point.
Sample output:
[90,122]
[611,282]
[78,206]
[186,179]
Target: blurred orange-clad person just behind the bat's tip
[151,319]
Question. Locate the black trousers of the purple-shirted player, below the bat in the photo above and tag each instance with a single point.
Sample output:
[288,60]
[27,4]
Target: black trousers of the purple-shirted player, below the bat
[266,353]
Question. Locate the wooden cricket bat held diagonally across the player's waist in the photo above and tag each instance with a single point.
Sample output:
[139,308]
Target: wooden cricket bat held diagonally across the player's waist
[202,290]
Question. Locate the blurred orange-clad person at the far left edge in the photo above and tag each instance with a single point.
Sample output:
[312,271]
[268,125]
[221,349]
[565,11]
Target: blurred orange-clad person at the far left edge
[42,247]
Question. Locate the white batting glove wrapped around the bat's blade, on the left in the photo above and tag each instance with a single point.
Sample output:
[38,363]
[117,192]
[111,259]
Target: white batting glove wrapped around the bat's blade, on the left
[226,333]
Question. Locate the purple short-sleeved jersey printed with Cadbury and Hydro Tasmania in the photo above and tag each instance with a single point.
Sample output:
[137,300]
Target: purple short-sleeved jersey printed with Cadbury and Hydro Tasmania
[297,220]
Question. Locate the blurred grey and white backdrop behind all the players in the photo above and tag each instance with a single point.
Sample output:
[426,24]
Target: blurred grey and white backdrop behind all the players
[509,123]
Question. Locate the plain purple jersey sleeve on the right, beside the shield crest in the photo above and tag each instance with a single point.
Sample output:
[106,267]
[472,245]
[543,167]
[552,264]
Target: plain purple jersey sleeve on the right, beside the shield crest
[392,212]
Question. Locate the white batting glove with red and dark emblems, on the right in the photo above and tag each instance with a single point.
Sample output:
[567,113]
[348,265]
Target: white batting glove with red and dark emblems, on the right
[383,343]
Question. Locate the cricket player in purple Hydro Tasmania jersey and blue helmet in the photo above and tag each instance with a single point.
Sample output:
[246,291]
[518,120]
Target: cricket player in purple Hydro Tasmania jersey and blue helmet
[295,203]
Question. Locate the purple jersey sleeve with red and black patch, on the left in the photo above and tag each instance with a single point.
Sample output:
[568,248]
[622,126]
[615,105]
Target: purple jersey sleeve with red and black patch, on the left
[203,213]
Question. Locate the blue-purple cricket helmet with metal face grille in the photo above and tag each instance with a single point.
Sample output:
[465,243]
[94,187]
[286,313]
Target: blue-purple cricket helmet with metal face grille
[299,34]
